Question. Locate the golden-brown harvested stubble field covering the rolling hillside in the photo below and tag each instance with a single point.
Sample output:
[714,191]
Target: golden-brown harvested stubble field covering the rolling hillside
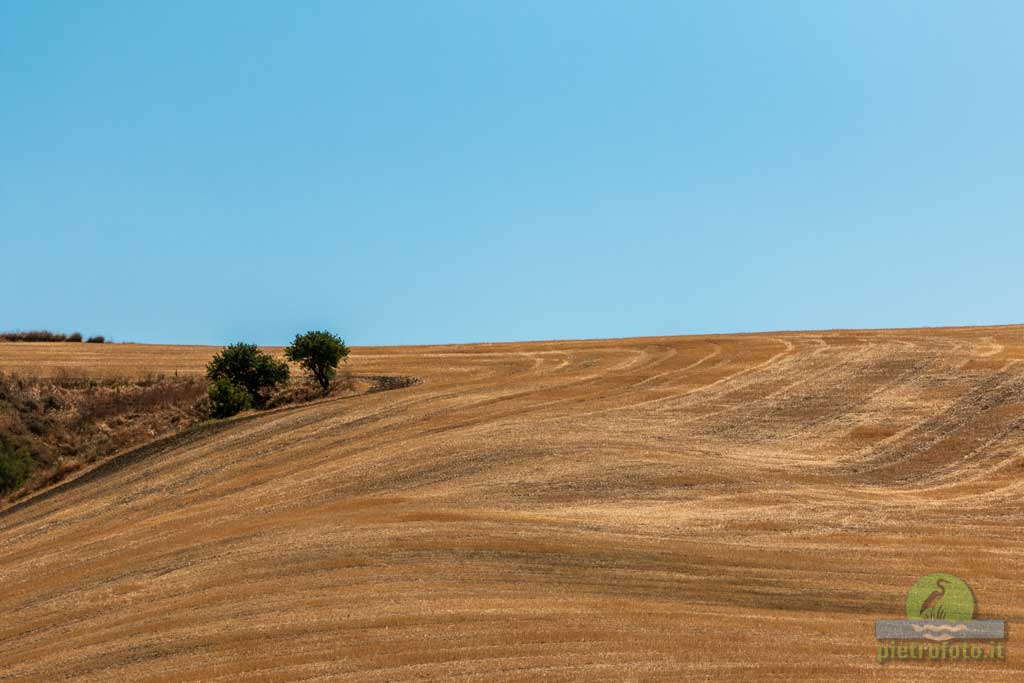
[739,507]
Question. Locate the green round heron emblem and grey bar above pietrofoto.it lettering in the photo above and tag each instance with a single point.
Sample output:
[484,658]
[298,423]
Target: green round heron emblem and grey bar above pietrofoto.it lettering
[941,608]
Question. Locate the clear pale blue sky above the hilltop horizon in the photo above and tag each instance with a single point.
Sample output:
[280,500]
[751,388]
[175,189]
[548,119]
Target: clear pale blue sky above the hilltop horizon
[449,172]
